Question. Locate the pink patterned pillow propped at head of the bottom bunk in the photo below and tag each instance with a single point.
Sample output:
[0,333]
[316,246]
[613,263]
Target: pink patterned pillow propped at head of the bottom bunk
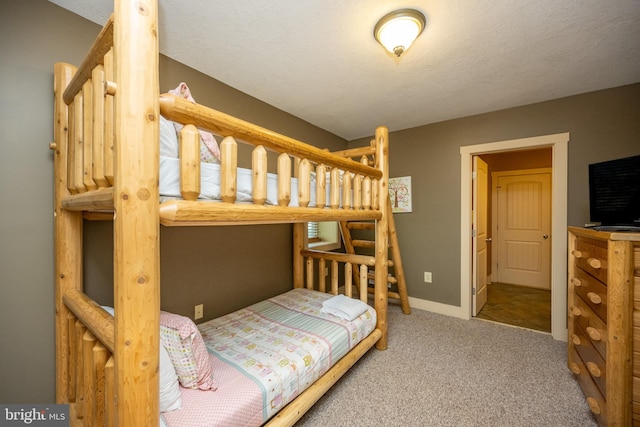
[187,351]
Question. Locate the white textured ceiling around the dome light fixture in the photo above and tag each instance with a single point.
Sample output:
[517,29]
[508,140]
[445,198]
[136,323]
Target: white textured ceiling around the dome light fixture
[318,60]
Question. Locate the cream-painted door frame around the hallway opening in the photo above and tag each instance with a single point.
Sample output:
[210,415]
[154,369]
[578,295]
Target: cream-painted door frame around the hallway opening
[559,145]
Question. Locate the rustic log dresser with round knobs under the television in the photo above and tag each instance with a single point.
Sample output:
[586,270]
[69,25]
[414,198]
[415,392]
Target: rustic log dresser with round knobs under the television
[604,322]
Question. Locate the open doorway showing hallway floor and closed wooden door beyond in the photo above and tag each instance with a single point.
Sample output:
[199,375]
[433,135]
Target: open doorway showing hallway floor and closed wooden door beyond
[518,290]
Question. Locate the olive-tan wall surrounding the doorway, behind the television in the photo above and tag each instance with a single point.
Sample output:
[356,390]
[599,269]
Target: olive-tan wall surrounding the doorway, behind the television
[603,125]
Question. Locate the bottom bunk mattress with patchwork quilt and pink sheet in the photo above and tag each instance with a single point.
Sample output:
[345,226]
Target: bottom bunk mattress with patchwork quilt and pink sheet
[264,356]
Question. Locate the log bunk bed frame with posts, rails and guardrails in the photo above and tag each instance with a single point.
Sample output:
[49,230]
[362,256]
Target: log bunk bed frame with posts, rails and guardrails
[106,161]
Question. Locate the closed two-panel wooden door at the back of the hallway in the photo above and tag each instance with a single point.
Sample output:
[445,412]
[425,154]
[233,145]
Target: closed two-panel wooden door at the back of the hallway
[524,228]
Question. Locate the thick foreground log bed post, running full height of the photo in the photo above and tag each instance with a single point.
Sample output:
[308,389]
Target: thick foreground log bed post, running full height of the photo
[136,222]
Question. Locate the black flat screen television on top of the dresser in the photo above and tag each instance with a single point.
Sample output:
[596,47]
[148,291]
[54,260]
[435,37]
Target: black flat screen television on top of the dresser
[614,193]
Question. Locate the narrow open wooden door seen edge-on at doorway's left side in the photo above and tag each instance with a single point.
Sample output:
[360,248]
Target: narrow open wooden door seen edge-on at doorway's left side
[479,234]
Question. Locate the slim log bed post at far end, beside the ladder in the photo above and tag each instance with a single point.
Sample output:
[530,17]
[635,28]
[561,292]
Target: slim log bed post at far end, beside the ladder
[382,235]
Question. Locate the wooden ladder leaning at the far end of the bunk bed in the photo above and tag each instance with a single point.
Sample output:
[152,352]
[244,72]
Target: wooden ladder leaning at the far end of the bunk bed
[397,284]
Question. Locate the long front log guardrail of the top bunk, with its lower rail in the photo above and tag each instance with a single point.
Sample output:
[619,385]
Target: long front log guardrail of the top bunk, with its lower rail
[353,186]
